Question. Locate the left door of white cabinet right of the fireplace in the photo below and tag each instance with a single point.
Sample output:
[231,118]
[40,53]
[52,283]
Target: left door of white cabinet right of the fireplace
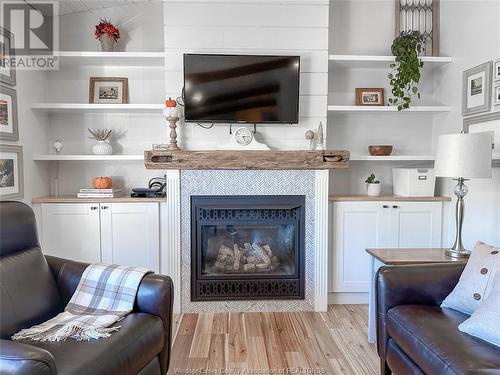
[356,227]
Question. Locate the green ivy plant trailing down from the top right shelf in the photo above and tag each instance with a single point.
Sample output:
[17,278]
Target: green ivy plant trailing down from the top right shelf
[406,70]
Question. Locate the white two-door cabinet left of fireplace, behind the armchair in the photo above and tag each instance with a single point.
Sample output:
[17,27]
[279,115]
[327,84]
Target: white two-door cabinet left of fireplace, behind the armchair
[118,233]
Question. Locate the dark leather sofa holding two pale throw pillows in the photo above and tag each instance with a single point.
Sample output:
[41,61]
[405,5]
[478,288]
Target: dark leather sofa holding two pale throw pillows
[415,335]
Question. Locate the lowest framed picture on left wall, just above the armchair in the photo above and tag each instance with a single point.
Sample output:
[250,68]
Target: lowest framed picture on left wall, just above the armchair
[11,172]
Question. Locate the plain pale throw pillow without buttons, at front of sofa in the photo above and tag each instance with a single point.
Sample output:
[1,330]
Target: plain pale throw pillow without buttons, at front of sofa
[484,323]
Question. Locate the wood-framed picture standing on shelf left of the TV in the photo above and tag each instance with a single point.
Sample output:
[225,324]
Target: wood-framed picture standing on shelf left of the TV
[108,90]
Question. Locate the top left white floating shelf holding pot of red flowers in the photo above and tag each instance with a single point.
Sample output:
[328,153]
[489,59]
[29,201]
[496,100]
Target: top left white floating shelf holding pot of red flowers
[92,58]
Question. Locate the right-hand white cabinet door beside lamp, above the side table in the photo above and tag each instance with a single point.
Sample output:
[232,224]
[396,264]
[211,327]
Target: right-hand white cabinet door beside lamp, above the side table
[415,224]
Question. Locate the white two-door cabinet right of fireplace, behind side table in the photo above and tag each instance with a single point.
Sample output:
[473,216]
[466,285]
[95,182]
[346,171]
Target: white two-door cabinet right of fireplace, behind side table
[360,225]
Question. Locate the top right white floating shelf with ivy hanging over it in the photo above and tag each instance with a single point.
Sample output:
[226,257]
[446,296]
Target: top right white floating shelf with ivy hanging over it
[373,61]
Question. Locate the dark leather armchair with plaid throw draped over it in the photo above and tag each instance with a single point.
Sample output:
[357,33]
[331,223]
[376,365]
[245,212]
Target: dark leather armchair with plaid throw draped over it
[34,288]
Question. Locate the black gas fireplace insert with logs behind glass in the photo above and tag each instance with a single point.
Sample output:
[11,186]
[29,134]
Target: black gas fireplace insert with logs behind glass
[247,247]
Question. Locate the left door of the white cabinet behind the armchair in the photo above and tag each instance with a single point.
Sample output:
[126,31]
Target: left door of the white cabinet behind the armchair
[71,231]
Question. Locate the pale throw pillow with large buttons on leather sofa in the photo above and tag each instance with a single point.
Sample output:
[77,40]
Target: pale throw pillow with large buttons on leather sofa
[476,281]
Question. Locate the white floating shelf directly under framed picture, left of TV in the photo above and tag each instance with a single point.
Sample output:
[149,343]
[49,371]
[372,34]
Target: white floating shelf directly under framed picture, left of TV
[98,108]
